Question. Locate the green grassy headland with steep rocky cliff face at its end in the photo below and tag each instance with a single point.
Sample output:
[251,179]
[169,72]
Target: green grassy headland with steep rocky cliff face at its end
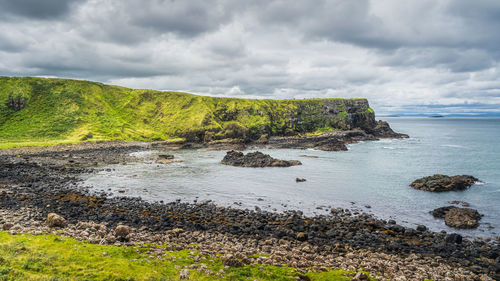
[40,110]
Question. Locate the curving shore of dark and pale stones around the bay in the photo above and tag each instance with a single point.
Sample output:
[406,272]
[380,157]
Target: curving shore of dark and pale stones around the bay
[37,181]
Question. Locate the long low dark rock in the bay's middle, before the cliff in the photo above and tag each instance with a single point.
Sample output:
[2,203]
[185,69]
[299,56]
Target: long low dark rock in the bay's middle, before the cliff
[255,159]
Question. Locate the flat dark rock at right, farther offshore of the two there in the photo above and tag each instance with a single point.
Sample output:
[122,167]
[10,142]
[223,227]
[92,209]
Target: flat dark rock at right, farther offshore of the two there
[439,183]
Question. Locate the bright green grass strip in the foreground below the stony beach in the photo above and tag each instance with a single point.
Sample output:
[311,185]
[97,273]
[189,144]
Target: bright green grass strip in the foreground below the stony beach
[51,257]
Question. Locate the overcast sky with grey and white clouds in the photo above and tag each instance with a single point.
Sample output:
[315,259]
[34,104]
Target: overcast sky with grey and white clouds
[414,56]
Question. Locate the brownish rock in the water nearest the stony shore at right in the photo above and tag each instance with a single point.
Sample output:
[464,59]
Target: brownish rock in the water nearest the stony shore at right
[458,217]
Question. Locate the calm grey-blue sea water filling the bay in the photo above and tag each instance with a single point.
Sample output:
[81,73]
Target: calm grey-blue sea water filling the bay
[371,177]
